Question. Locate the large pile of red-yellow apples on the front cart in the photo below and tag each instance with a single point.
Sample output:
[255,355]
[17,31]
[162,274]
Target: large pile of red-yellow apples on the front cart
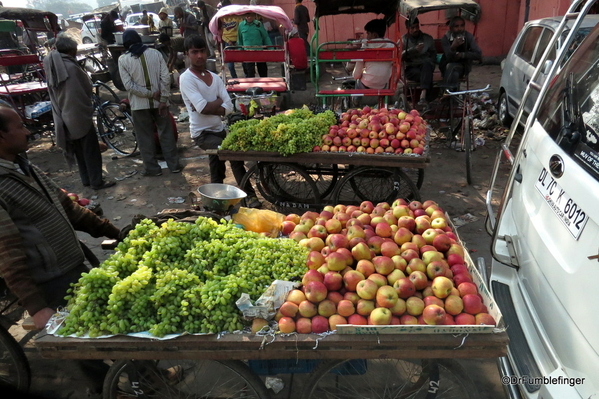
[380,265]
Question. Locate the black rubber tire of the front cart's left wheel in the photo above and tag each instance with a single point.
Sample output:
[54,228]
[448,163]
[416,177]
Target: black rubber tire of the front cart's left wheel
[237,367]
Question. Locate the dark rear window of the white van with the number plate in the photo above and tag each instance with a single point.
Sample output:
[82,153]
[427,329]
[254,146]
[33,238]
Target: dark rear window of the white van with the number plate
[570,110]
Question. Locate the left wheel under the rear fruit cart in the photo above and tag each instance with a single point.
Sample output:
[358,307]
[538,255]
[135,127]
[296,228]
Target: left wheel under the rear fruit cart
[288,185]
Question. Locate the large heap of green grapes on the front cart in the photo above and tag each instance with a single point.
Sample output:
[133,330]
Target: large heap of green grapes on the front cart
[179,277]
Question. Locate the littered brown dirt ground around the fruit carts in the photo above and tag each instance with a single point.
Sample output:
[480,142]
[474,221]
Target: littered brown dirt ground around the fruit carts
[444,182]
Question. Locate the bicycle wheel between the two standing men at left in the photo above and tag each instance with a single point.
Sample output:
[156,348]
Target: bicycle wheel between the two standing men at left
[115,128]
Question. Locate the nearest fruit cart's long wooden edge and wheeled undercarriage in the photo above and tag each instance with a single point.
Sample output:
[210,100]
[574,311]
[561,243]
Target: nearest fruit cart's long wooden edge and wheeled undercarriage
[226,355]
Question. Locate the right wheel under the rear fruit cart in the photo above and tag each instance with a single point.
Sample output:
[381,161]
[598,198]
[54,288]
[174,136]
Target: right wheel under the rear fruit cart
[375,184]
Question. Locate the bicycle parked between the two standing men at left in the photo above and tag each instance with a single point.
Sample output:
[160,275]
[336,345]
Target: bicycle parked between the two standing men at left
[114,125]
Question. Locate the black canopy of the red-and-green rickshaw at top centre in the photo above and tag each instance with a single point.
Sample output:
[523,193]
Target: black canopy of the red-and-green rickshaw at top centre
[335,7]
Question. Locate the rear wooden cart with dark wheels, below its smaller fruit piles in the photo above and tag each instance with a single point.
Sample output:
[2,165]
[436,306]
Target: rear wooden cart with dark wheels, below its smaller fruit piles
[311,180]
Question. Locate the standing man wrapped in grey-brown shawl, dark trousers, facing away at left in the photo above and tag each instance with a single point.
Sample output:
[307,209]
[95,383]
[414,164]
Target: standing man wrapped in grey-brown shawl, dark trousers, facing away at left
[70,94]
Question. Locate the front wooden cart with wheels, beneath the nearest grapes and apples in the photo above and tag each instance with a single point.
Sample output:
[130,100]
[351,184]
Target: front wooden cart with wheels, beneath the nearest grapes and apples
[342,363]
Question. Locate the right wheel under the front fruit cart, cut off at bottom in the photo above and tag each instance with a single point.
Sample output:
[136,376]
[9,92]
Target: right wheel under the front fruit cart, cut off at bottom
[390,378]
